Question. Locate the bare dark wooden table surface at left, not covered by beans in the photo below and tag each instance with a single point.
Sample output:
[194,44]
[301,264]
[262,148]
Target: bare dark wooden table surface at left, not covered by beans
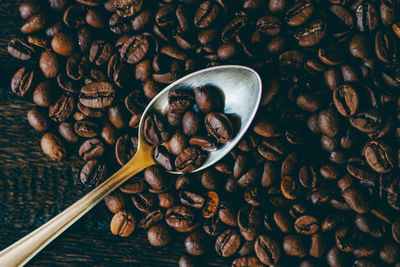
[34,189]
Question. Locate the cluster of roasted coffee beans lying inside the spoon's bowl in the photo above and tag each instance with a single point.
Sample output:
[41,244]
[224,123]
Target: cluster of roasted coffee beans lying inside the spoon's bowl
[205,129]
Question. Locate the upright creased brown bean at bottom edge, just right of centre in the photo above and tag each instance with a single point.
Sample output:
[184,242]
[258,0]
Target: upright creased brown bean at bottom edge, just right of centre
[267,250]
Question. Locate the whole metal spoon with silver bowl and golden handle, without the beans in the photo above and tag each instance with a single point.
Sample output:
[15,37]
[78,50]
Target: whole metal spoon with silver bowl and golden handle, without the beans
[241,87]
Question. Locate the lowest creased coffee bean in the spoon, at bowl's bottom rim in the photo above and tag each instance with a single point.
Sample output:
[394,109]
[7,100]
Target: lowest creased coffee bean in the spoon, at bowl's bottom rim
[189,160]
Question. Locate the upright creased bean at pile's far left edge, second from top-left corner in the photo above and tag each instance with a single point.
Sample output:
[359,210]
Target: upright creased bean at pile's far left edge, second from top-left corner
[22,82]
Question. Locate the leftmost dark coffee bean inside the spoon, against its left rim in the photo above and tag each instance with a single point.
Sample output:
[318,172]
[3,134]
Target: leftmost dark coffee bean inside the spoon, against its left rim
[155,130]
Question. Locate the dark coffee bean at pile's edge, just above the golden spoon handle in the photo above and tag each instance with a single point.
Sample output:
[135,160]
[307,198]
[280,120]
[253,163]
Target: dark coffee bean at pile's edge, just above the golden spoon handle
[93,173]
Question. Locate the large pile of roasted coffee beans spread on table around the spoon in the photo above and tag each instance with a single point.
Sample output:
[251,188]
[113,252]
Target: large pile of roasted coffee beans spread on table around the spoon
[314,182]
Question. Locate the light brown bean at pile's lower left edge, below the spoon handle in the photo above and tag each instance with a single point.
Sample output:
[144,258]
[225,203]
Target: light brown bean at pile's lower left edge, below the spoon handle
[123,223]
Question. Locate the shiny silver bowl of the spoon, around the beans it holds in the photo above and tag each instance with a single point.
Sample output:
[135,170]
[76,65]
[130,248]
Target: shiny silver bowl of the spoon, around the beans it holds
[241,88]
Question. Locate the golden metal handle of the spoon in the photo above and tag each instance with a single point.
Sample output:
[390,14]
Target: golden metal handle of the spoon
[19,253]
